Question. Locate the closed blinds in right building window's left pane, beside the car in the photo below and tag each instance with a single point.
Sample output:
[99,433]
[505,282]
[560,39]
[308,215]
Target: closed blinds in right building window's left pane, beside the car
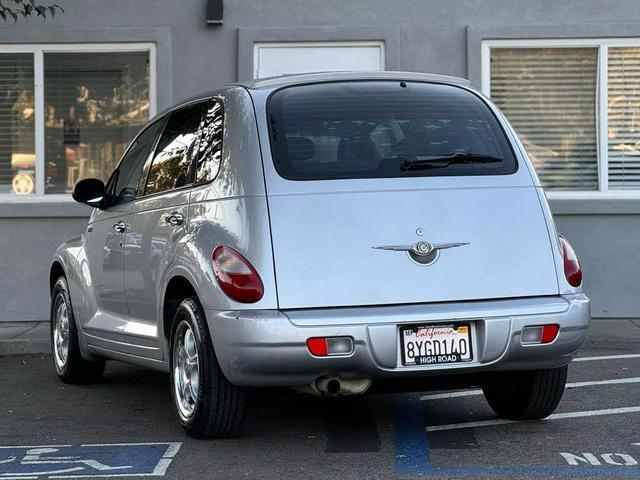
[549,96]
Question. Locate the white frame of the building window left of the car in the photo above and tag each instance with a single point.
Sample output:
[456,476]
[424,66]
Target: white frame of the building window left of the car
[38,51]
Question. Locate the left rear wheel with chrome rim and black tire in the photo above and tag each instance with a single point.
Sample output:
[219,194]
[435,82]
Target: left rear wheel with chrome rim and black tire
[213,407]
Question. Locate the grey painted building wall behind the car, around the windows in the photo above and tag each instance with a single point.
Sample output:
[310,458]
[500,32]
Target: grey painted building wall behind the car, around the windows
[437,36]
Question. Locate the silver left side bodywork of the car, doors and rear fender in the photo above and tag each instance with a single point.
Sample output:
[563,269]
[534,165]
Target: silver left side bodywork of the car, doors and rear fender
[154,251]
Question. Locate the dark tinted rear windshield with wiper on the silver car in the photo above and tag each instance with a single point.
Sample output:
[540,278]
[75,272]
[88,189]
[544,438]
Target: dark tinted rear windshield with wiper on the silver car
[377,129]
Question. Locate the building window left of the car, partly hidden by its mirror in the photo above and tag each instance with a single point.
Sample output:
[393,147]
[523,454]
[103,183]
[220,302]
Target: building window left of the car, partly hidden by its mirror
[68,112]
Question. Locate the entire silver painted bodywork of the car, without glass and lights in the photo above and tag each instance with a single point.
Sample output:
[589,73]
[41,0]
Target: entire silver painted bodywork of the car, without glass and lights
[309,241]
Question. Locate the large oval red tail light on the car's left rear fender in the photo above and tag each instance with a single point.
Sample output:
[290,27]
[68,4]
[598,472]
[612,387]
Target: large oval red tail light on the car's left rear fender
[236,276]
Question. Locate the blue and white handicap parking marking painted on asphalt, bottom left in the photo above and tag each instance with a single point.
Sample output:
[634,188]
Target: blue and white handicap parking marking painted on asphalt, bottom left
[97,460]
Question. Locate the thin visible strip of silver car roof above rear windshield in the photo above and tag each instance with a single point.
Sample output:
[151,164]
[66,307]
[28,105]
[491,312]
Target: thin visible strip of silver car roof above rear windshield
[287,80]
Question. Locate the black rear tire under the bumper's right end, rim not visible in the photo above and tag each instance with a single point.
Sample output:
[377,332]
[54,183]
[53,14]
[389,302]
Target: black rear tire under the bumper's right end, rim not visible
[527,395]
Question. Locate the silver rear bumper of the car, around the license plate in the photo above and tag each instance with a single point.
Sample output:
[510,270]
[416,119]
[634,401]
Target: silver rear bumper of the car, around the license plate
[268,347]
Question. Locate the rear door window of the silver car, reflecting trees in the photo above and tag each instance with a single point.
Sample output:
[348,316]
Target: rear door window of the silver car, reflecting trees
[171,164]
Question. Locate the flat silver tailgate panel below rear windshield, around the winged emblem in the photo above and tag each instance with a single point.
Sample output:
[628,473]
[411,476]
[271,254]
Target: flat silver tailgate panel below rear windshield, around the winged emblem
[325,259]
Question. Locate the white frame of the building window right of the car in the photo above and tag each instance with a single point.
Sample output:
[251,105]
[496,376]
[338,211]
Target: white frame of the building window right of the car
[602,45]
